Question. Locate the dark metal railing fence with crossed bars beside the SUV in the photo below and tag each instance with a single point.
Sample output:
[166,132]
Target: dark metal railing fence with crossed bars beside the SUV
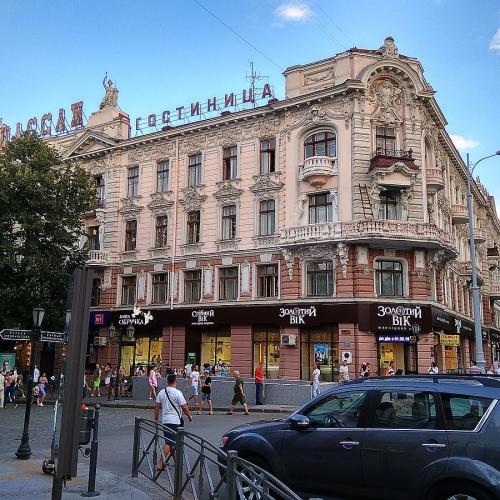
[197,469]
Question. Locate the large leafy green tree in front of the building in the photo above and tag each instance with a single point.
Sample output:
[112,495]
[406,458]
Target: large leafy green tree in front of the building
[43,203]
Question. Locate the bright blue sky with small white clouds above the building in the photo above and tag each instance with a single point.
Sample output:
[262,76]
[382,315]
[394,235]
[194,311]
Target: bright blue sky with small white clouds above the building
[163,54]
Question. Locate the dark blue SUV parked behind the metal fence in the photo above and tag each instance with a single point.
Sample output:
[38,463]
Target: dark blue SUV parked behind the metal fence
[421,437]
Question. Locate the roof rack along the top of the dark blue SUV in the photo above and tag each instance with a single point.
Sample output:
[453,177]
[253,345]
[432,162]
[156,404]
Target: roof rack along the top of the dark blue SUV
[448,378]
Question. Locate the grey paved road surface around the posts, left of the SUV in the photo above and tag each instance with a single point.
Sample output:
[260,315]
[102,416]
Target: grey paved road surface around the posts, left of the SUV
[115,444]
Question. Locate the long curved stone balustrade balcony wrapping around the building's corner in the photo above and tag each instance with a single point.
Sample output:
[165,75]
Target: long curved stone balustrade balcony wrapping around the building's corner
[393,234]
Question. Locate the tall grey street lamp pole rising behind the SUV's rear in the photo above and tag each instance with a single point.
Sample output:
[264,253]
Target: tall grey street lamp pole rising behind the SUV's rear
[481,363]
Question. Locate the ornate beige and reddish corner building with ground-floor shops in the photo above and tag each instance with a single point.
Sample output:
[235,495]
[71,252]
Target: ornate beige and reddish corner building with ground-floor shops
[328,225]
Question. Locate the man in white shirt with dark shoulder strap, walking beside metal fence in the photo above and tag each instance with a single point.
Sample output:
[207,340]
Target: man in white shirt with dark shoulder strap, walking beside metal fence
[172,404]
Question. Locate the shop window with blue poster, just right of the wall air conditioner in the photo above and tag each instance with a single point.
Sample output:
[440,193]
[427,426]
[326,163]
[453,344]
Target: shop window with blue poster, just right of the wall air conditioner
[320,345]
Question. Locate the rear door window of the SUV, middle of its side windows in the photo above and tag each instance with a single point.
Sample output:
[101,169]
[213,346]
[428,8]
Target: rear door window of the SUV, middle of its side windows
[406,410]
